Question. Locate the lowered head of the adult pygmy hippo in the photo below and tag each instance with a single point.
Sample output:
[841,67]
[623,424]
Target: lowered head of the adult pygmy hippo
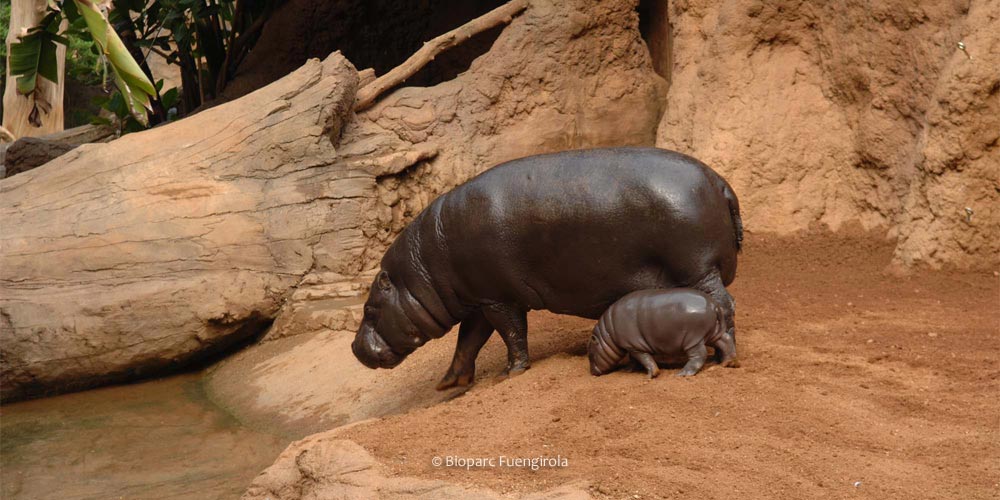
[387,335]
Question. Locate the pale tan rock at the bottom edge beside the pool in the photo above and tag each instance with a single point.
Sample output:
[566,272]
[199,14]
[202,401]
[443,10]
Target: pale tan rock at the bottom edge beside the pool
[326,467]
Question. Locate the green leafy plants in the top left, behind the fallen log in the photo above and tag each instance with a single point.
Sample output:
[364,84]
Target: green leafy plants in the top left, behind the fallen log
[206,39]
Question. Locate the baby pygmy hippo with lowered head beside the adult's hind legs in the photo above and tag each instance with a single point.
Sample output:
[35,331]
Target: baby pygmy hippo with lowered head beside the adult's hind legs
[665,325]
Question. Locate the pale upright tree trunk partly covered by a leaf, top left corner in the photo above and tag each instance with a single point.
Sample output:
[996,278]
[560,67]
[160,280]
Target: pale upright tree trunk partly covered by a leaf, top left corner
[17,108]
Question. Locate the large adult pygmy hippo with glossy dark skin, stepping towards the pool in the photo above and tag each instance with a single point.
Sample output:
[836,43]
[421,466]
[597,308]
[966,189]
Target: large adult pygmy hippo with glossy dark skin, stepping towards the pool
[569,232]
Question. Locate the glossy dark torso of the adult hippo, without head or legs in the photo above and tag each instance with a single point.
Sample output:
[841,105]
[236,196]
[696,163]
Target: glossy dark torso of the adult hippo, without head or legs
[572,232]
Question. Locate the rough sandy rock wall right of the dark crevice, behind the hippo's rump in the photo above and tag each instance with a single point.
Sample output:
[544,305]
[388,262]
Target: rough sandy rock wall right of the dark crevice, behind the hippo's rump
[836,114]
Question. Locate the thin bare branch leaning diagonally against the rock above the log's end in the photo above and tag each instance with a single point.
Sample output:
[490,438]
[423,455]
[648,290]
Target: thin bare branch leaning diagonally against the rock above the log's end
[501,15]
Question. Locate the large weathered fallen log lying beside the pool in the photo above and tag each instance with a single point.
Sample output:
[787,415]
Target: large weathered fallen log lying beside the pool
[166,246]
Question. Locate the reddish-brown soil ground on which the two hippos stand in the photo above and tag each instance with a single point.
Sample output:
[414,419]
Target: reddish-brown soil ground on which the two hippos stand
[855,384]
